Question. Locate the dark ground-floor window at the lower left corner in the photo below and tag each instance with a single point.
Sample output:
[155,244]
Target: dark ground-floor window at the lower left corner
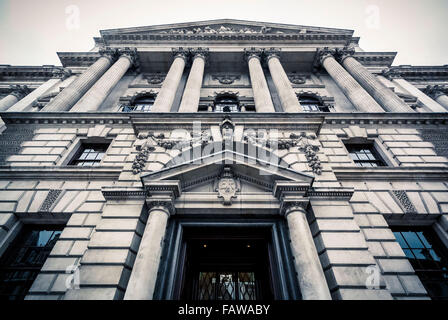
[21,263]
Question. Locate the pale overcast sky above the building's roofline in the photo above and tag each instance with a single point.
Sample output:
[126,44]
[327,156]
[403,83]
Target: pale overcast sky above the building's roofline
[32,31]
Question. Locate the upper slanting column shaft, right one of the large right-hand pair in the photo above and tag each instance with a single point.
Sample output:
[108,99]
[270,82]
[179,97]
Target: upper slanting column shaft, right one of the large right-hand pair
[383,95]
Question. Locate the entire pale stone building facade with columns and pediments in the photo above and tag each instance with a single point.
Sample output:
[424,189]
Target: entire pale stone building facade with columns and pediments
[220,160]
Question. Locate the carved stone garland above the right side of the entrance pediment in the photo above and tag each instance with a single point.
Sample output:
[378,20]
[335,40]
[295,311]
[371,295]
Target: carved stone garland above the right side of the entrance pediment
[305,143]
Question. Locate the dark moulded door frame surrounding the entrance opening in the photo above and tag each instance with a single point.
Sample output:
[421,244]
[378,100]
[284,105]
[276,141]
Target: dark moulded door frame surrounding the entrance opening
[169,278]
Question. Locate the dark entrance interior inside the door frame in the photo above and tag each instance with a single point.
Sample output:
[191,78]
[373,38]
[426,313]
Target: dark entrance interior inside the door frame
[226,264]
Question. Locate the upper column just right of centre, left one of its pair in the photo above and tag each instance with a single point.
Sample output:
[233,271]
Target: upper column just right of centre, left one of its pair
[262,97]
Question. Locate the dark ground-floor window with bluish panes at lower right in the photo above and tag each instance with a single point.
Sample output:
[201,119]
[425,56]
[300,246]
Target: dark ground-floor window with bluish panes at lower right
[428,257]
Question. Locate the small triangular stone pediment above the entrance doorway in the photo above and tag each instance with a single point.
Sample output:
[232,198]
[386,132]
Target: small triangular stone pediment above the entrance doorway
[206,169]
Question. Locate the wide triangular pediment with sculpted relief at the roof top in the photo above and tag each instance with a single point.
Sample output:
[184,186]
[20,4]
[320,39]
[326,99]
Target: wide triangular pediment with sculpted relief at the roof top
[226,26]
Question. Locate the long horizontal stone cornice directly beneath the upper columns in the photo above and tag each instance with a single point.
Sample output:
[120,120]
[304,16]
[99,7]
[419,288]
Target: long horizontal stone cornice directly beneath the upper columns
[310,121]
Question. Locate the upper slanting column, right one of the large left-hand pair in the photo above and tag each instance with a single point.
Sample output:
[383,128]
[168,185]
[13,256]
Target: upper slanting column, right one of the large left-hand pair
[103,87]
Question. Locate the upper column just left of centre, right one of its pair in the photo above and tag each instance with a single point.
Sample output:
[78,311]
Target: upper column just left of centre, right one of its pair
[192,92]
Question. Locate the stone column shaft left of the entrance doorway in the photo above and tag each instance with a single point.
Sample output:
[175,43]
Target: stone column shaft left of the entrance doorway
[144,273]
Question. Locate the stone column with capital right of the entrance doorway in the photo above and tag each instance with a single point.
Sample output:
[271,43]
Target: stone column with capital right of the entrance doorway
[313,285]
